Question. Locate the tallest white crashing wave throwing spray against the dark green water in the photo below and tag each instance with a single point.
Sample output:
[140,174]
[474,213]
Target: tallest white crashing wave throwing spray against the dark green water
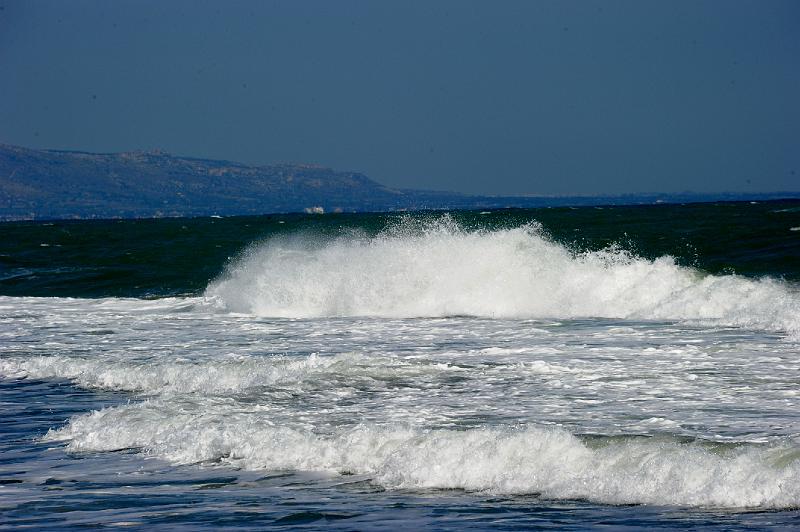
[440,269]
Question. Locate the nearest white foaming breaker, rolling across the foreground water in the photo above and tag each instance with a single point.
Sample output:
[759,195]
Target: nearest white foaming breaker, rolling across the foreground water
[546,461]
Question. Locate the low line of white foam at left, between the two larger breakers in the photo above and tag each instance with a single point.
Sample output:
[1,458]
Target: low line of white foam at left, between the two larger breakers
[225,374]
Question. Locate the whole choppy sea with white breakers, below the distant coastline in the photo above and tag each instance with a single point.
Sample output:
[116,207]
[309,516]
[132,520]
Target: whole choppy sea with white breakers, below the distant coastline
[617,367]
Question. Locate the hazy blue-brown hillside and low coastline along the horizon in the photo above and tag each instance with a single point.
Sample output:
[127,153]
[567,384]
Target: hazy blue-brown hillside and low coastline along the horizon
[51,184]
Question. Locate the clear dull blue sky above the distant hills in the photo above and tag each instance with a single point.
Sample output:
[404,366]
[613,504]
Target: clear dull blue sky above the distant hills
[489,97]
